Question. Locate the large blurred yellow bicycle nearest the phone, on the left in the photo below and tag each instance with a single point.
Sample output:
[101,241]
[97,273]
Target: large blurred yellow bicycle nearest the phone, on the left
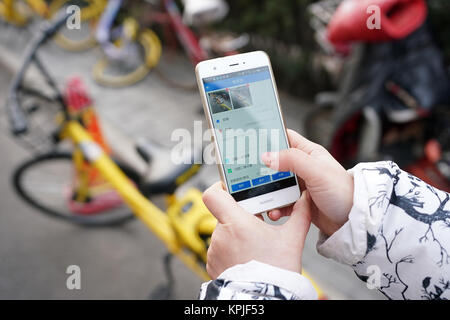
[101,185]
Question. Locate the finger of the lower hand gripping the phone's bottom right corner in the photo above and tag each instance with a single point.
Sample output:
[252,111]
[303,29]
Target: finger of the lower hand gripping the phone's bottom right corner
[300,218]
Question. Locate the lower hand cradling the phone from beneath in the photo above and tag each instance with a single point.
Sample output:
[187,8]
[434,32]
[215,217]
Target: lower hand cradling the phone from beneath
[240,237]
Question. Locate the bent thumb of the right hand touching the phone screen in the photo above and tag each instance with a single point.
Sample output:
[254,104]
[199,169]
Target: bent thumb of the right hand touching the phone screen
[294,160]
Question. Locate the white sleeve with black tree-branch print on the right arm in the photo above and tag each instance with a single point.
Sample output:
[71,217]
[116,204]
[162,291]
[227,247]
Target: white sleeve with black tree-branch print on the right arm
[397,238]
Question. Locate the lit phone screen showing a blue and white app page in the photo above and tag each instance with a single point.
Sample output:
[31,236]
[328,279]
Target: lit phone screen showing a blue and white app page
[247,123]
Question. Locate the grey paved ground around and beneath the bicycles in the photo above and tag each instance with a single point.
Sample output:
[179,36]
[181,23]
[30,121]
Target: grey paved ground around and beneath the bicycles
[125,262]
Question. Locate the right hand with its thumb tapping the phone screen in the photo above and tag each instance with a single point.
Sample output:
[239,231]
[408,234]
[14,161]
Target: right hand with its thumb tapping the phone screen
[328,183]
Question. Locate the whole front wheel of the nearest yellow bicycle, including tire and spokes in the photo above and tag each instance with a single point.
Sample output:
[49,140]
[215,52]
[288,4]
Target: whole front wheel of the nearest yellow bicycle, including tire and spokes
[46,183]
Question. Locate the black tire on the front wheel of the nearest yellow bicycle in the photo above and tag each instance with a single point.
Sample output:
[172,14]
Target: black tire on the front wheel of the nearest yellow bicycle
[102,219]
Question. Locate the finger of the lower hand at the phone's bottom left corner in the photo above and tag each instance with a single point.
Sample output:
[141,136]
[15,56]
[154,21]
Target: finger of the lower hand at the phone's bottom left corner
[222,205]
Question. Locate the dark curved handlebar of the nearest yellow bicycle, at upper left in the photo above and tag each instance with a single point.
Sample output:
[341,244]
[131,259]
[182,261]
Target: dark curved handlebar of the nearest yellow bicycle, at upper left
[16,114]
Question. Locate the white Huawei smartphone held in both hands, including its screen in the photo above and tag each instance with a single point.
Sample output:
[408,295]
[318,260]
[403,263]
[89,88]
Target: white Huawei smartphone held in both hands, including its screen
[242,107]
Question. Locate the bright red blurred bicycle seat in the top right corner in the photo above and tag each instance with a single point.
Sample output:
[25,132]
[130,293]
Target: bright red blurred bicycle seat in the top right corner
[375,20]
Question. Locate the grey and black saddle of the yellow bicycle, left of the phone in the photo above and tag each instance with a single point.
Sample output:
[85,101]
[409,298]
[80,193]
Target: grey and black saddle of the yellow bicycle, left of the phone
[167,168]
